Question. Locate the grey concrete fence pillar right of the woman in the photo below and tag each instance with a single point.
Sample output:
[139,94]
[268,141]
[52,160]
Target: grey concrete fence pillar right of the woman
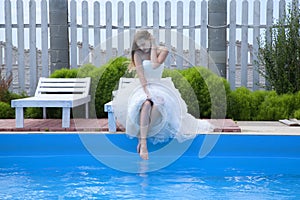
[217,21]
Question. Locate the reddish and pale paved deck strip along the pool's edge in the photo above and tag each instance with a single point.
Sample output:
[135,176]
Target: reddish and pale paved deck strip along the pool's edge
[222,126]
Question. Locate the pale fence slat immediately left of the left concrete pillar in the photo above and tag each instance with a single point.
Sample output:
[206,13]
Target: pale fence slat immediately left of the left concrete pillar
[44,30]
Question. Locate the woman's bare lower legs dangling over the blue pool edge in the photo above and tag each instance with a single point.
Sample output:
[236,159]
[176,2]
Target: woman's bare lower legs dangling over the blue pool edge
[144,124]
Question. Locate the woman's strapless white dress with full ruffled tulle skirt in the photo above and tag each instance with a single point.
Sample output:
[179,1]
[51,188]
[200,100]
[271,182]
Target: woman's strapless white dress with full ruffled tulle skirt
[173,120]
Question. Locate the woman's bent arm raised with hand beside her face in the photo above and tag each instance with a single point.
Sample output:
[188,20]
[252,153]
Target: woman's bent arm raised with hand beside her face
[158,53]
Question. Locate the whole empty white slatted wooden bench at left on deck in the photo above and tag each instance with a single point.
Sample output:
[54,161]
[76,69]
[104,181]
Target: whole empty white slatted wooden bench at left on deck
[56,92]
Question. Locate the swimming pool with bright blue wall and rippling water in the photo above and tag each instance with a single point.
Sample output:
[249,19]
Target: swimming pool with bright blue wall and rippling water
[62,166]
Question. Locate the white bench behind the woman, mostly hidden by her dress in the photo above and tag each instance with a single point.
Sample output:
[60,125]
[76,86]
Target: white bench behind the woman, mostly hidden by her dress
[112,125]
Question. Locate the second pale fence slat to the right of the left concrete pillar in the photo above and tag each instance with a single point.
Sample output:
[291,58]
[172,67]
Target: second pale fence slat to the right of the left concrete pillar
[85,33]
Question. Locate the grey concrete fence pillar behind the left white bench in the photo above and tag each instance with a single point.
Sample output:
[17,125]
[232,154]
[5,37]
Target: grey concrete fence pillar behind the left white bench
[59,34]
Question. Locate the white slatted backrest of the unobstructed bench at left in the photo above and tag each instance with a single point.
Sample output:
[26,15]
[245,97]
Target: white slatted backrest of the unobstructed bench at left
[62,86]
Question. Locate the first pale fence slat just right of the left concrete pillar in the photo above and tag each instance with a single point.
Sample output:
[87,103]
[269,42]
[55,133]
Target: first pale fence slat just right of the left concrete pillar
[73,28]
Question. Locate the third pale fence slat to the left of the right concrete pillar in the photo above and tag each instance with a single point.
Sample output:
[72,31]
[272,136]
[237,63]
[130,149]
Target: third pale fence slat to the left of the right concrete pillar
[179,58]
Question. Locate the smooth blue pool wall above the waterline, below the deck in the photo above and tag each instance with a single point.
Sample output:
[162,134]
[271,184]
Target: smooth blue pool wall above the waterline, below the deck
[227,145]
